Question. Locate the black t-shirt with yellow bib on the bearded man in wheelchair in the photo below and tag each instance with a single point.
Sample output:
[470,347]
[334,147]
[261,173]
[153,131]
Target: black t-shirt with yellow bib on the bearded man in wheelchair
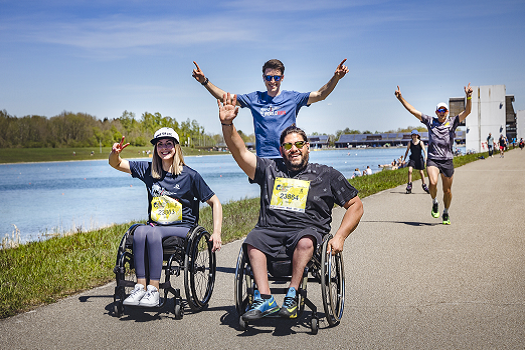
[308,202]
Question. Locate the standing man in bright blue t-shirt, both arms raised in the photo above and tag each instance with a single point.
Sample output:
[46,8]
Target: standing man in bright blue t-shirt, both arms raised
[274,109]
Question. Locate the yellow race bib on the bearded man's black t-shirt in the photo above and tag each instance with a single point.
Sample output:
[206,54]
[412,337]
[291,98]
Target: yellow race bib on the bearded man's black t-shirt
[290,194]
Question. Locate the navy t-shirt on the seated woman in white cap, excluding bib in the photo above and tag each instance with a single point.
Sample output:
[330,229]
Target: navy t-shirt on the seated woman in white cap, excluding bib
[185,188]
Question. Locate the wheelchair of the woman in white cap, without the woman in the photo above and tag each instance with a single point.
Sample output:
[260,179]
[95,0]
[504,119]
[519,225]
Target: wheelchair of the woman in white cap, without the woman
[191,256]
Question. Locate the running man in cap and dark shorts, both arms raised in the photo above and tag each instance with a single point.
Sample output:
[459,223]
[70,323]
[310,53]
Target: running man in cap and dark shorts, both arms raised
[441,133]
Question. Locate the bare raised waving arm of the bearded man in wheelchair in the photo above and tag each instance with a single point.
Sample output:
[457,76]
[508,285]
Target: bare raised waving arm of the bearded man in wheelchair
[246,160]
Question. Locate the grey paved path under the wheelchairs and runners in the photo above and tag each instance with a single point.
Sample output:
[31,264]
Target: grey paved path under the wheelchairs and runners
[411,282]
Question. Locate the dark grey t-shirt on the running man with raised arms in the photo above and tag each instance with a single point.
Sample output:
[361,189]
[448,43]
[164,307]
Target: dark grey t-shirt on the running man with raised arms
[440,136]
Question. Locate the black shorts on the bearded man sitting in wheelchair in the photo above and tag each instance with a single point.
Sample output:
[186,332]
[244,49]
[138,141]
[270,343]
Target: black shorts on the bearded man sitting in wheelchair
[280,243]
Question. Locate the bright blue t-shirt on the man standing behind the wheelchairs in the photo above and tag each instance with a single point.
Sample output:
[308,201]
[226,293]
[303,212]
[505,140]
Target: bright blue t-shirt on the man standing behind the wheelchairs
[271,115]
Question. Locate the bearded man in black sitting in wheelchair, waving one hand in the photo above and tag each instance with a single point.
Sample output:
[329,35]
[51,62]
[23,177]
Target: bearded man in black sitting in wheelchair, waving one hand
[297,198]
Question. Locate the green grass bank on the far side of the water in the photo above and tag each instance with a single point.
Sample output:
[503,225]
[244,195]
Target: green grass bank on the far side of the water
[19,155]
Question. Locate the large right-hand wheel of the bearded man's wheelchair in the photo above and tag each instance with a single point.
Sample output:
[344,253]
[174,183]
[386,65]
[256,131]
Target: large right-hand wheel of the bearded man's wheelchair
[332,285]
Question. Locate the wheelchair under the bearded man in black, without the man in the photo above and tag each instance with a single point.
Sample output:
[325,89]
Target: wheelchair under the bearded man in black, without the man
[324,268]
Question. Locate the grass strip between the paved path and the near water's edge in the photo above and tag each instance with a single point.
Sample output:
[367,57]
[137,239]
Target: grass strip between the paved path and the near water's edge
[42,272]
